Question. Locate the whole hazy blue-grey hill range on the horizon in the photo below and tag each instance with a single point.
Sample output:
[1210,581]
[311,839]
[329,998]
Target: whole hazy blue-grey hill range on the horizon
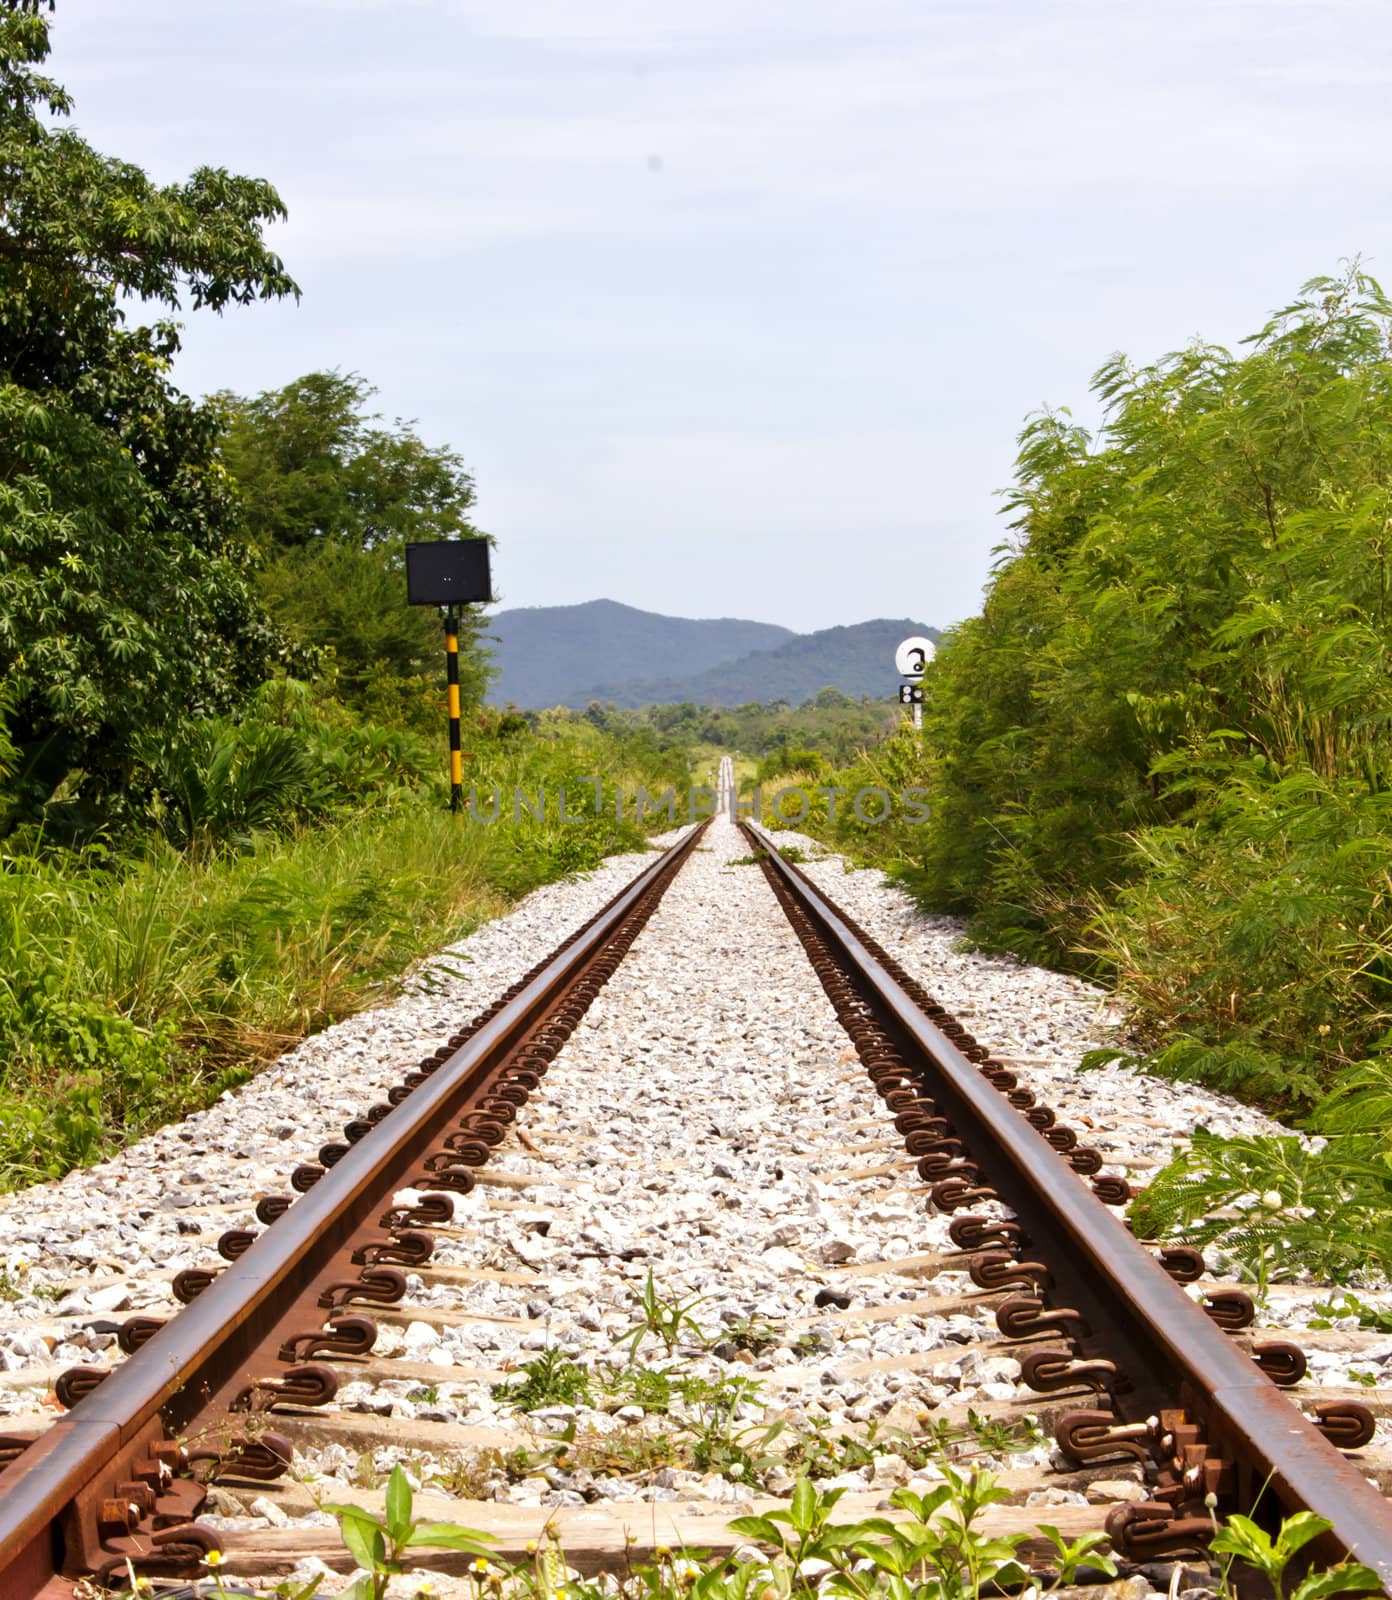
[609,652]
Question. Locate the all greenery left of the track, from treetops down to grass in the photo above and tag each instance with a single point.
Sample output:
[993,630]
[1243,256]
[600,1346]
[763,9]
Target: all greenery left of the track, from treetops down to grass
[222,727]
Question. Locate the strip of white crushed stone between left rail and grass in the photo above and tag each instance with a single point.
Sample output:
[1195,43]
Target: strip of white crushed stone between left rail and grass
[111,1238]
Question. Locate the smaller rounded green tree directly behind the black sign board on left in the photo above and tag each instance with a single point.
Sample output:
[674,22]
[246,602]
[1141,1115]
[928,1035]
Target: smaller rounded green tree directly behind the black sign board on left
[332,498]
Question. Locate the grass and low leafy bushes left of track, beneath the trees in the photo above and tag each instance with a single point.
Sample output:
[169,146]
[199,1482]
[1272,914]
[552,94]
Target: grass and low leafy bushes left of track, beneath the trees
[148,970]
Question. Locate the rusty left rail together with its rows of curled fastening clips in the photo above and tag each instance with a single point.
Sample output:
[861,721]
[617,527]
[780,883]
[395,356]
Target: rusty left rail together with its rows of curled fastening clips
[103,1484]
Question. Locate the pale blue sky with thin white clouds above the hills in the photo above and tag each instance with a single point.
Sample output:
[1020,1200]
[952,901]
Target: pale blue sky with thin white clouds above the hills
[735,310]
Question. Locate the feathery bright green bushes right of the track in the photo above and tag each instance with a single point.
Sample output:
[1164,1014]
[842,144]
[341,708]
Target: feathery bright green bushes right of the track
[1162,751]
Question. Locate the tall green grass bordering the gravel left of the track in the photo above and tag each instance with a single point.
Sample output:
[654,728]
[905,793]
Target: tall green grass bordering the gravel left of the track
[137,990]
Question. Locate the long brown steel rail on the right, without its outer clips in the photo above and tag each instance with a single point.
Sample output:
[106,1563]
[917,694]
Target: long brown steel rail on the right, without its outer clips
[1170,1345]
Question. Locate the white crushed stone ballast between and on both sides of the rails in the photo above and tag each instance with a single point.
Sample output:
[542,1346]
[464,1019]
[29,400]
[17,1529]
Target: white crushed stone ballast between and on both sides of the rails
[705,1122]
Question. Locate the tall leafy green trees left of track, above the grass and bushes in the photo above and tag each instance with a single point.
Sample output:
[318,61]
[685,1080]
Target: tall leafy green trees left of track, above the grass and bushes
[164,558]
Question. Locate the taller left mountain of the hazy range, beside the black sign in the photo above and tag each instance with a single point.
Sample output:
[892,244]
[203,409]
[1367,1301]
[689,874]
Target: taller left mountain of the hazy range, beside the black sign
[551,655]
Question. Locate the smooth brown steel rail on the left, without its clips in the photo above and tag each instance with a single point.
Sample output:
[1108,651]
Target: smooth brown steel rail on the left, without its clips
[167,1382]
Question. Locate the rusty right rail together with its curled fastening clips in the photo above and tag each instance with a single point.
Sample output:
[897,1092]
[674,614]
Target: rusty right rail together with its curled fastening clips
[1175,1385]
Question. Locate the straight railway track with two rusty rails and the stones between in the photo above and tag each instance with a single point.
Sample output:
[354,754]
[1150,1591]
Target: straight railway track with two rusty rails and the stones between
[394,1255]
